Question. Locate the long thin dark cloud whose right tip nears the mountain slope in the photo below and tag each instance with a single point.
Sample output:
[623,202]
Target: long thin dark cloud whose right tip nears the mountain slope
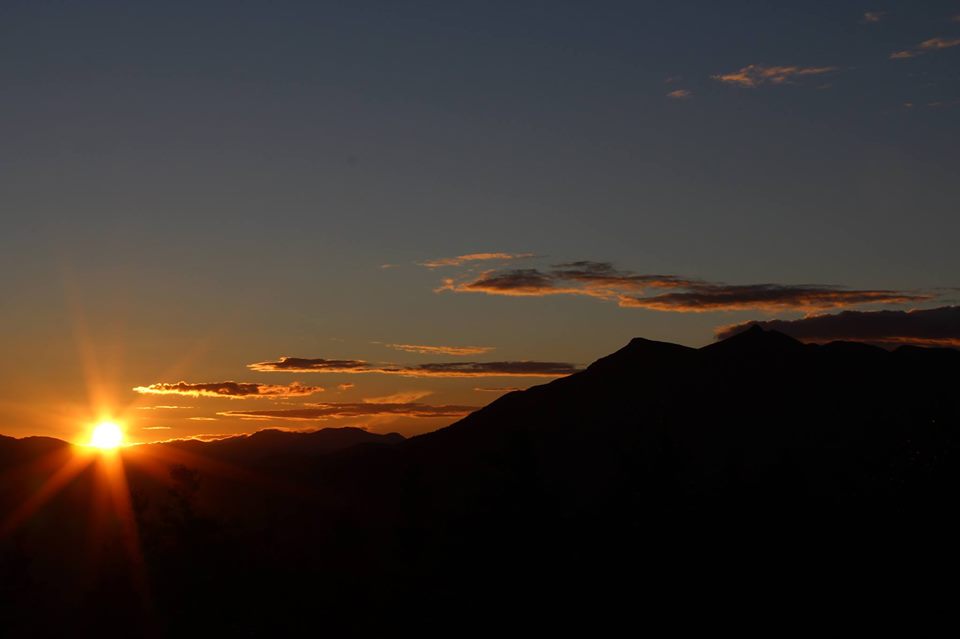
[449,369]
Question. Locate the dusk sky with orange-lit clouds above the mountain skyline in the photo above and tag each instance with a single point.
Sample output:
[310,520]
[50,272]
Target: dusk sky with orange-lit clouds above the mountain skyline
[219,217]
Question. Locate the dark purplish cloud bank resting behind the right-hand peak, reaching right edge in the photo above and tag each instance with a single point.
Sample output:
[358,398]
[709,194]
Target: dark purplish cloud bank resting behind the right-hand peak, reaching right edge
[926,327]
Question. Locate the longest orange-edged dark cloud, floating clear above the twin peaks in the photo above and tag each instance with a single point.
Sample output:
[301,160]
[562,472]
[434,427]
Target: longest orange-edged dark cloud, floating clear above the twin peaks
[633,290]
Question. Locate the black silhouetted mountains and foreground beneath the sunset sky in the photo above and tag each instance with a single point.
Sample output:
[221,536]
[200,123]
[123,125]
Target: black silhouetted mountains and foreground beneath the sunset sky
[756,480]
